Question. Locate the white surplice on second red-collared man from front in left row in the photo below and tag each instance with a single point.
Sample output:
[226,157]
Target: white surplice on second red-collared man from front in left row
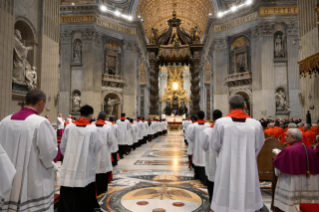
[103,158]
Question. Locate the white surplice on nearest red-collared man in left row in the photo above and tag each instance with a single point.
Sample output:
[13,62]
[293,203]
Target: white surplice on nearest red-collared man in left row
[79,145]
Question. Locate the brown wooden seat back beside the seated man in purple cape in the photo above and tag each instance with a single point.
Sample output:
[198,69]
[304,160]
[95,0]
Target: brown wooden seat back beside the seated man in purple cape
[264,159]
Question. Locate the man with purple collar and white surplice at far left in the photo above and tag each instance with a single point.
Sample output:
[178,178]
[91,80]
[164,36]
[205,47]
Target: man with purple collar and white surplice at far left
[31,144]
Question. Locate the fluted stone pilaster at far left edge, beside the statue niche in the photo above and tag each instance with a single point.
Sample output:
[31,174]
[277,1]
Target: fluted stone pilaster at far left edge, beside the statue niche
[6,55]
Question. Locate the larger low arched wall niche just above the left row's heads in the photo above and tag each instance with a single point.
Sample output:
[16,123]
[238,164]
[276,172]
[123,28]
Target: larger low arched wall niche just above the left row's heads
[114,96]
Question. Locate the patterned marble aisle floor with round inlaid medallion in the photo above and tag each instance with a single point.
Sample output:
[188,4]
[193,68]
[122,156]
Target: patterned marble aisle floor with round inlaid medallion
[156,176]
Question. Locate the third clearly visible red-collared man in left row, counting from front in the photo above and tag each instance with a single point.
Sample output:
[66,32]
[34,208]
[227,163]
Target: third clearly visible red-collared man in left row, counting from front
[124,126]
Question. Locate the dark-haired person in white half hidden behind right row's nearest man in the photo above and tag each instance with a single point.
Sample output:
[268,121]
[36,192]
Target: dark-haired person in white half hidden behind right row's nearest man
[210,154]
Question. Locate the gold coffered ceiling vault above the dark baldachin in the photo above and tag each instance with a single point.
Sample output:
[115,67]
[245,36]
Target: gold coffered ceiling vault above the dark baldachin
[156,13]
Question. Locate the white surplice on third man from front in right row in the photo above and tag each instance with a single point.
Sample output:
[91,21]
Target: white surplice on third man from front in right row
[193,135]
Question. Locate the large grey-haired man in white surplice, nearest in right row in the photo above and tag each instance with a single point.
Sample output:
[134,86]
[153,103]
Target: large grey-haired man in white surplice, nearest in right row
[238,139]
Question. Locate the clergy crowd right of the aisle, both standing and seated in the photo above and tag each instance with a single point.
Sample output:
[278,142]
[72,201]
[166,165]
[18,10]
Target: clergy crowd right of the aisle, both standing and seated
[224,157]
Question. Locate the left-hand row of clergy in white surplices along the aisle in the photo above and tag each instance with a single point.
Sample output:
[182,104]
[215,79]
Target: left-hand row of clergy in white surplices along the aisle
[28,146]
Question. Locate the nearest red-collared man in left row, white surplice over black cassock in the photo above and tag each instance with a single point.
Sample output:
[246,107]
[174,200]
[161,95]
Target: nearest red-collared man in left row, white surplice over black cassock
[80,144]
